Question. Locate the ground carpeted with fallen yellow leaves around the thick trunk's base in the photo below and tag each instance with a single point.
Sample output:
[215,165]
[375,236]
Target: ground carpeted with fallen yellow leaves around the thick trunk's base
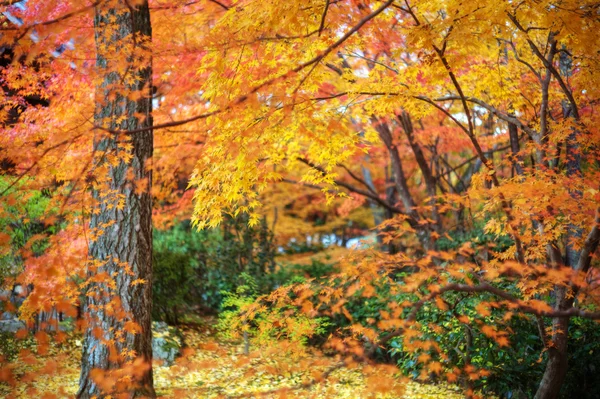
[216,369]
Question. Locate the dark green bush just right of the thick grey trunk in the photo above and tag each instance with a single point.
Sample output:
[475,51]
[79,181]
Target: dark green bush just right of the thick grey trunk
[194,268]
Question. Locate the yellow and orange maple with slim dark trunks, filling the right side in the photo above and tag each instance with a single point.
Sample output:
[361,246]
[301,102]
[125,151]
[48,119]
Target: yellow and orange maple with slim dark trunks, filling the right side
[337,77]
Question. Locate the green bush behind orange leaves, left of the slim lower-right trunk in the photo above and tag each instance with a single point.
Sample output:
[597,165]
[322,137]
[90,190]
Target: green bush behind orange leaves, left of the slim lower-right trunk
[512,369]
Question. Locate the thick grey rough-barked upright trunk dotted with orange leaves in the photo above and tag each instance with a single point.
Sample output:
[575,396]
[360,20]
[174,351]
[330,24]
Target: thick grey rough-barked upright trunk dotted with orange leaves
[117,350]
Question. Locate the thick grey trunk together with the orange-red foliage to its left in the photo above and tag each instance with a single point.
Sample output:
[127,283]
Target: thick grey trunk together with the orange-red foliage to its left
[100,179]
